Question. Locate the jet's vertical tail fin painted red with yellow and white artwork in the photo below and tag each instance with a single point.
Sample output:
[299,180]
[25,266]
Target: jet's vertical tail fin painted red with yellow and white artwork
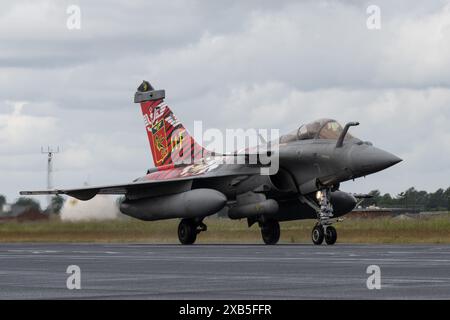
[170,143]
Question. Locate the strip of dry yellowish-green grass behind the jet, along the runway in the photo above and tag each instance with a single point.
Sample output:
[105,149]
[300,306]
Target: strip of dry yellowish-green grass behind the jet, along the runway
[434,229]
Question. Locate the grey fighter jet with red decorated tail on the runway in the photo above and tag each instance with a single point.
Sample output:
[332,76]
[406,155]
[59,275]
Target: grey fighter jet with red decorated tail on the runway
[189,182]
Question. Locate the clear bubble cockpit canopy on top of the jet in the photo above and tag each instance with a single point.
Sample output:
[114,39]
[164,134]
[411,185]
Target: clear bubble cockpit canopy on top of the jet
[319,129]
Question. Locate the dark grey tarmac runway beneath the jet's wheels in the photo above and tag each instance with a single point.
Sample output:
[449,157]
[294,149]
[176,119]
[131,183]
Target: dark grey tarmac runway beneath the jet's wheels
[145,271]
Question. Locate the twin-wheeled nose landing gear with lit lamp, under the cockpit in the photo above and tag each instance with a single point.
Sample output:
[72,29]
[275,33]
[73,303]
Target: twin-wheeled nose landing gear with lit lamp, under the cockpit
[323,230]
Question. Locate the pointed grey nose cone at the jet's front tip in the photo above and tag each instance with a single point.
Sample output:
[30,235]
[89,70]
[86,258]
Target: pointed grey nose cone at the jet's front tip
[370,159]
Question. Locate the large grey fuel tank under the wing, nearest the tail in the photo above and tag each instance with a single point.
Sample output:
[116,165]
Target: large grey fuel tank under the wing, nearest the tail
[189,204]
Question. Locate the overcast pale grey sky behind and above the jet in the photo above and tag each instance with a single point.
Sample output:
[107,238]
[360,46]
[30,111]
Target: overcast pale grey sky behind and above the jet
[232,64]
